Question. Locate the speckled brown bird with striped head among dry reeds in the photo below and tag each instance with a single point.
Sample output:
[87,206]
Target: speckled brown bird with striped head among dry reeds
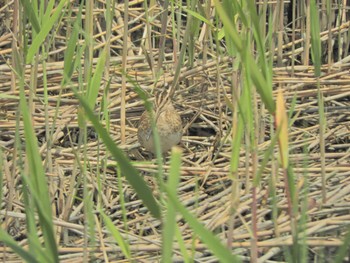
[167,121]
